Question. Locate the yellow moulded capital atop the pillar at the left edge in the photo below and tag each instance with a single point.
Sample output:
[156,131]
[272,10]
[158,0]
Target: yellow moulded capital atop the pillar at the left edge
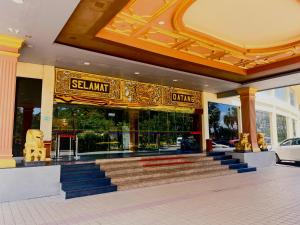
[9,45]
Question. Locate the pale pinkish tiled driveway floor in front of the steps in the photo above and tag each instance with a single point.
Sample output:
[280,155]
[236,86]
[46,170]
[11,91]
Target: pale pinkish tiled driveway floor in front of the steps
[266,197]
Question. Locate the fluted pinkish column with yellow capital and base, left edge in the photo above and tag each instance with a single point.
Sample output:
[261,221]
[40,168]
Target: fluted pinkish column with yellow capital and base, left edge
[9,47]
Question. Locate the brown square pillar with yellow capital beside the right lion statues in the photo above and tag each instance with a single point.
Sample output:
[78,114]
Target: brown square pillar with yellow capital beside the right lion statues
[247,96]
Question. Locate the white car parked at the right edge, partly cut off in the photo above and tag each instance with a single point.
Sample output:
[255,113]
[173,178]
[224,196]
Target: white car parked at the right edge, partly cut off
[289,150]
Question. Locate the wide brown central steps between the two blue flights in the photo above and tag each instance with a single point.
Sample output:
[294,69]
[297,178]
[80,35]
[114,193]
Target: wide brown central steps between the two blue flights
[139,172]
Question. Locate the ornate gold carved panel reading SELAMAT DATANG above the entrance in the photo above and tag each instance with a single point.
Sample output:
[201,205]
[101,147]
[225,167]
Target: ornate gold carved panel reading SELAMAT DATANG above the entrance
[123,93]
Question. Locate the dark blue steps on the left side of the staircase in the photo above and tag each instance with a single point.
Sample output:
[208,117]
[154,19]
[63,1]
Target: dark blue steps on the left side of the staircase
[84,179]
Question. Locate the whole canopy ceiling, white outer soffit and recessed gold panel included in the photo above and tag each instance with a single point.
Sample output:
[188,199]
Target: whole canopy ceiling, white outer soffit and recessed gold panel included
[199,45]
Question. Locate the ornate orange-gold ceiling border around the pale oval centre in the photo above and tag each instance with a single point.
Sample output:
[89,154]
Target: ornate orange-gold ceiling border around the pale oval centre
[139,26]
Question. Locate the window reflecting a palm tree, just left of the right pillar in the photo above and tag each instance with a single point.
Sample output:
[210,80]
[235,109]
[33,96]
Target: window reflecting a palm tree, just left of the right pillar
[223,122]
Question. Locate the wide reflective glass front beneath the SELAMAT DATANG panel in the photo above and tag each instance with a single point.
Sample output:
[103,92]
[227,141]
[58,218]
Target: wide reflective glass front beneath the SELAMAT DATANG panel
[103,129]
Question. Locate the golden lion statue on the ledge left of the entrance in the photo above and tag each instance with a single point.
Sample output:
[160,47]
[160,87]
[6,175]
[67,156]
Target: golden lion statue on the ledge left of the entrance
[34,147]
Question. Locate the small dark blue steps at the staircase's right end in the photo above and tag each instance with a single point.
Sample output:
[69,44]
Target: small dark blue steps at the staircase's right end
[233,164]
